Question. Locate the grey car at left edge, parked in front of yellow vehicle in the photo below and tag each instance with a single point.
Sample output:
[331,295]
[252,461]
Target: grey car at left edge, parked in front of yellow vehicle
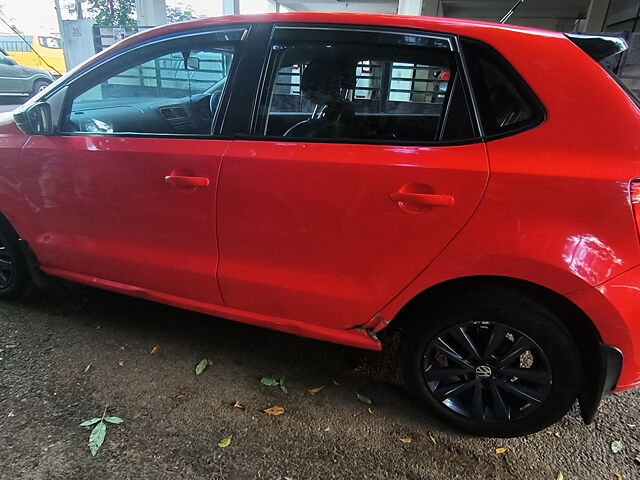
[16,80]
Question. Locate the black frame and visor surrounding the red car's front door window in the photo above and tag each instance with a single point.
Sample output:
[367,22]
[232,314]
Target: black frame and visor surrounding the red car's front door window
[78,83]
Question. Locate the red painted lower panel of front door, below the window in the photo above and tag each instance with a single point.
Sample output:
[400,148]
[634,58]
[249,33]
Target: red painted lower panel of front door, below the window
[103,207]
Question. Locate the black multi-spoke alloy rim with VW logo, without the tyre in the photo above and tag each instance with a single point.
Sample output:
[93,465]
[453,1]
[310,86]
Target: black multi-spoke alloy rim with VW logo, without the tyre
[487,371]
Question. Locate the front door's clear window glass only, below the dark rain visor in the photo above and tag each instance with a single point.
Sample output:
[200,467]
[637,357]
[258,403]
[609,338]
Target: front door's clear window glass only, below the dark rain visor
[178,93]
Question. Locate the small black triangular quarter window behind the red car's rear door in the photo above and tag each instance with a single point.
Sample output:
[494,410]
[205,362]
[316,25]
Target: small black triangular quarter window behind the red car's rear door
[505,101]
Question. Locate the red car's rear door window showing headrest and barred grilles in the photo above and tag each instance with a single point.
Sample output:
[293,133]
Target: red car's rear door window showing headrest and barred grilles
[342,87]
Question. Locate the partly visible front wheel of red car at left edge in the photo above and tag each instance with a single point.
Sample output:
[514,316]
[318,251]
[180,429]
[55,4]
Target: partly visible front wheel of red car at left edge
[14,273]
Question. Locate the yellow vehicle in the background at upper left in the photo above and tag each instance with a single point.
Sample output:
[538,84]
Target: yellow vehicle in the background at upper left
[48,50]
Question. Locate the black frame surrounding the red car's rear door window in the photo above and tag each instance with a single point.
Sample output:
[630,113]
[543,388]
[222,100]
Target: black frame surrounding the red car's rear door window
[383,35]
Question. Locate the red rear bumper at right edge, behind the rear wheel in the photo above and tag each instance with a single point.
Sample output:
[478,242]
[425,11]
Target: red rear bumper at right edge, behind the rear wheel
[614,308]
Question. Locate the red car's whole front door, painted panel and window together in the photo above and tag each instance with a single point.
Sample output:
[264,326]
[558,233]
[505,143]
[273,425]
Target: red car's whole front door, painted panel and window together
[125,192]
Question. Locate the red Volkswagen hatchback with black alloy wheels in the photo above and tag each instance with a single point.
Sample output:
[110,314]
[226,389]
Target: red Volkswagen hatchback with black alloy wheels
[334,175]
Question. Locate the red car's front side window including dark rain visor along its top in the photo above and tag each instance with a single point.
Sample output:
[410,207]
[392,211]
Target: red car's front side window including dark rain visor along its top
[174,87]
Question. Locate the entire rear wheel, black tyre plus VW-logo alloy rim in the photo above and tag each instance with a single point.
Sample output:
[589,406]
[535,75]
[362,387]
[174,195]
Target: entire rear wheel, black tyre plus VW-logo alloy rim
[491,363]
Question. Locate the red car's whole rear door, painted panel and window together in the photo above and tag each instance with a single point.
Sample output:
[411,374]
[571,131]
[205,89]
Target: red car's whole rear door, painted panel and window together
[362,163]
